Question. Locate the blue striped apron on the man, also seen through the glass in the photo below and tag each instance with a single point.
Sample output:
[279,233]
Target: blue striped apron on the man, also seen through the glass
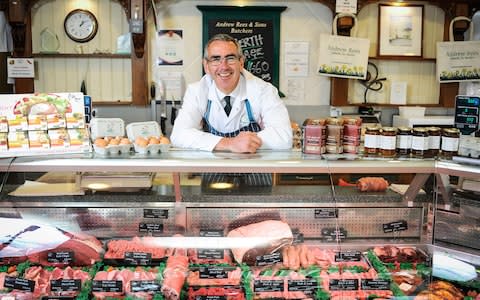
[246,179]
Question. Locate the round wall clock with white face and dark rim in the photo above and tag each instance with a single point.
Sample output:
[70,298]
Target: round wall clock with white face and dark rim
[80,25]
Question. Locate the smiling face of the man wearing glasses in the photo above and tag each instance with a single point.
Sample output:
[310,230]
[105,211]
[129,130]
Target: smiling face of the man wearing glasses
[223,65]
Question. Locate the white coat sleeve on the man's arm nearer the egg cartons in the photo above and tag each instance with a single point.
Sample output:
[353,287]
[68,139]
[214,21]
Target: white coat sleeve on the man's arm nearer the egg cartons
[187,131]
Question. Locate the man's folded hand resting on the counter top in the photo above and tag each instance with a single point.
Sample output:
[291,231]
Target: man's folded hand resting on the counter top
[244,142]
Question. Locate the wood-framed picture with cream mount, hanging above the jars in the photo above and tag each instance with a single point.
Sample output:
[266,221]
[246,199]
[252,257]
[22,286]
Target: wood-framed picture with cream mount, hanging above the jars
[400,30]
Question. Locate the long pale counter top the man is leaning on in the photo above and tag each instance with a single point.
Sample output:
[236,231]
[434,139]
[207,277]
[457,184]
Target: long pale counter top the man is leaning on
[200,161]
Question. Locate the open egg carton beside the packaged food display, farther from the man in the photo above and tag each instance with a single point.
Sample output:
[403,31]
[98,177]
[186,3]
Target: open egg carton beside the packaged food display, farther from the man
[108,136]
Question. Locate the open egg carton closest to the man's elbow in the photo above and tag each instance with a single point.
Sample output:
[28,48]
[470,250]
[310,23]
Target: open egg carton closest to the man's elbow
[147,137]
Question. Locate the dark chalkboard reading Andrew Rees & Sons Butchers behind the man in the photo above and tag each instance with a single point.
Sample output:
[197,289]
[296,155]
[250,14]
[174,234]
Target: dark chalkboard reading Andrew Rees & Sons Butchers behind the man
[257,31]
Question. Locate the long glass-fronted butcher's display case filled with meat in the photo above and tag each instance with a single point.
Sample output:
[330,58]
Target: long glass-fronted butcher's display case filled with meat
[343,227]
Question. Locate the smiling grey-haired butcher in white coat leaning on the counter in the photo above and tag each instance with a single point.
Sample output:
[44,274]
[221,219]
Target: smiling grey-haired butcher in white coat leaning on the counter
[230,109]
